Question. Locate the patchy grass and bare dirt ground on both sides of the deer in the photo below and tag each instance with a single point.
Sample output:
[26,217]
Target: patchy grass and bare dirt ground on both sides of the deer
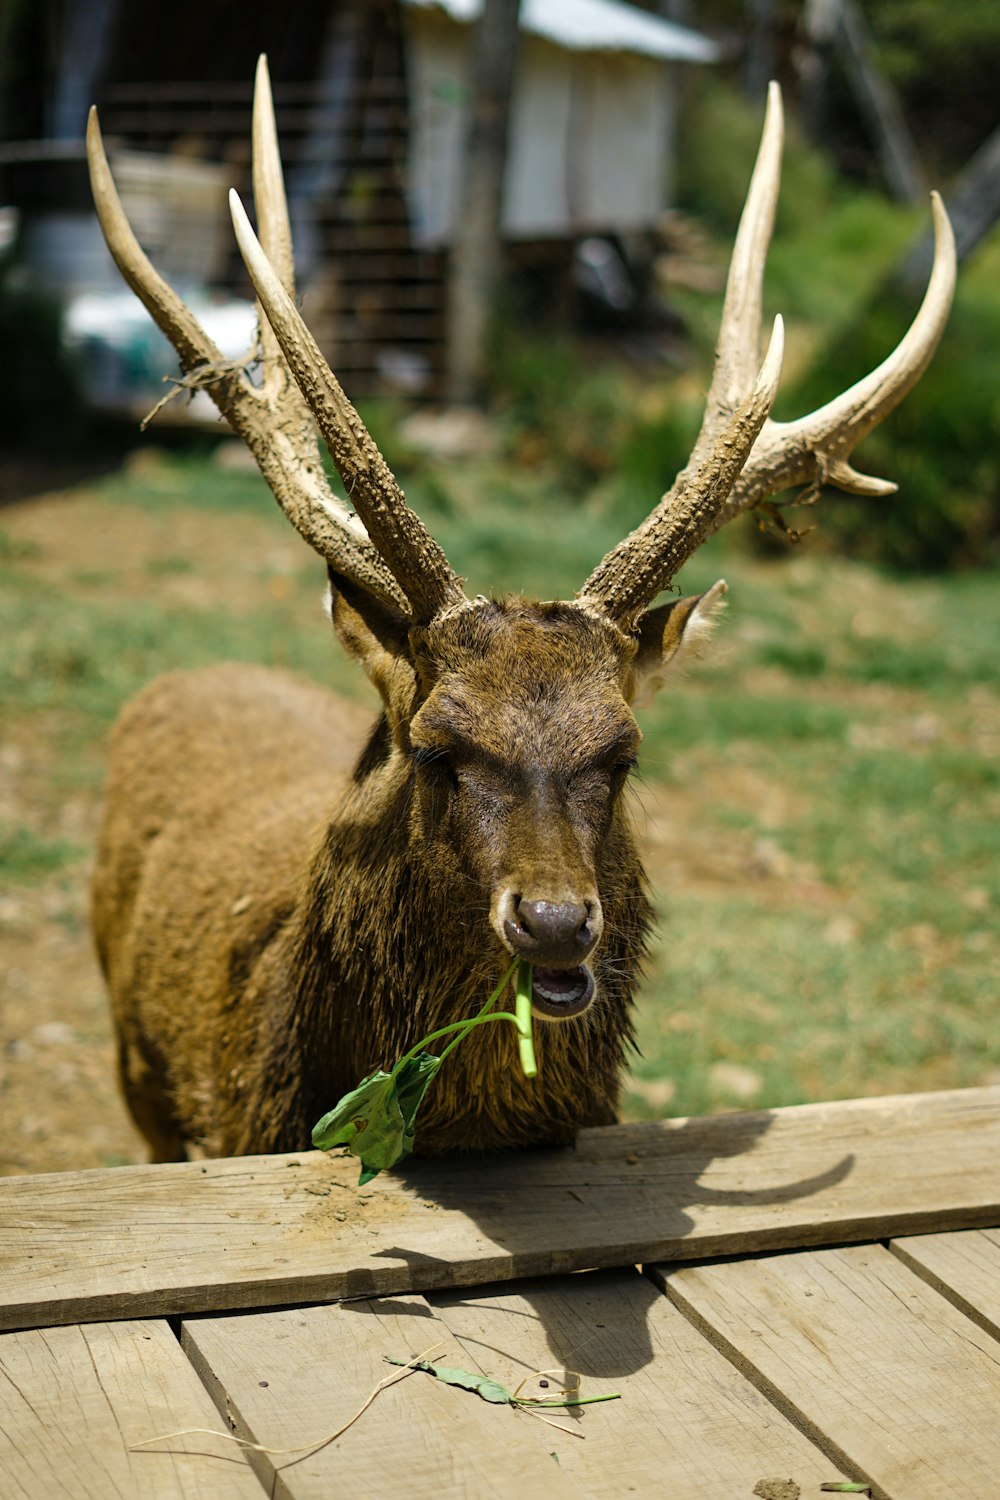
[821,806]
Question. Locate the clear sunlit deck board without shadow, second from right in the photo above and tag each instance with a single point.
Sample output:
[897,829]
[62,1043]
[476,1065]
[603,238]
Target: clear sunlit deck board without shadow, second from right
[875,1366]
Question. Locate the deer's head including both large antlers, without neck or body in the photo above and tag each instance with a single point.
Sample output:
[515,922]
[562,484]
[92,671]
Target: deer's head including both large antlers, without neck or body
[515,719]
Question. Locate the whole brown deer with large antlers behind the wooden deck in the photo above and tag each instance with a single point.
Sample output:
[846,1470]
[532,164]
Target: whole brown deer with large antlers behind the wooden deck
[289,896]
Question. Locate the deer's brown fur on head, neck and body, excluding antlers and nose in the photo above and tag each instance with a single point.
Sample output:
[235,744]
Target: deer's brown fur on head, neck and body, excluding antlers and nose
[283,904]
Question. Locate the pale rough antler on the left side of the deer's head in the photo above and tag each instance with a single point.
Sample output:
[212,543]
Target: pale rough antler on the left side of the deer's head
[274,419]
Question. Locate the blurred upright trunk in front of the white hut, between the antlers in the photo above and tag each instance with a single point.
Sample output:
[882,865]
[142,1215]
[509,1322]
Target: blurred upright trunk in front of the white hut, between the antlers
[476,254]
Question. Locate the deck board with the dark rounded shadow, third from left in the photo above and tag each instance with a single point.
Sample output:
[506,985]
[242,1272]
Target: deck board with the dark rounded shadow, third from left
[689,1424]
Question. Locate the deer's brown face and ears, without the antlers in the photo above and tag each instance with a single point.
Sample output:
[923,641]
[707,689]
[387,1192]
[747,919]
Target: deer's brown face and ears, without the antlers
[515,722]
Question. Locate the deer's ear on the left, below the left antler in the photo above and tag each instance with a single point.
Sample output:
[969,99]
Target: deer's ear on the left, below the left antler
[377,637]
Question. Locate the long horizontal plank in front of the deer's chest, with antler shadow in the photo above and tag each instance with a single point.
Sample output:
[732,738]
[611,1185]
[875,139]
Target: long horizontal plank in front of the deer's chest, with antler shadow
[269,1231]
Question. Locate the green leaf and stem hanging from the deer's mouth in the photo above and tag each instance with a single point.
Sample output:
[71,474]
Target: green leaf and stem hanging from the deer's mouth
[377,1120]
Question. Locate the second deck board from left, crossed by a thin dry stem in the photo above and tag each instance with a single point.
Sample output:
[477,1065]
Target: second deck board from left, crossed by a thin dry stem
[296,1376]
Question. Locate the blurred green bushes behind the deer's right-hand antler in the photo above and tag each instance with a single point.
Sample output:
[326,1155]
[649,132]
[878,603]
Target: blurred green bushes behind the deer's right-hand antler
[596,424]
